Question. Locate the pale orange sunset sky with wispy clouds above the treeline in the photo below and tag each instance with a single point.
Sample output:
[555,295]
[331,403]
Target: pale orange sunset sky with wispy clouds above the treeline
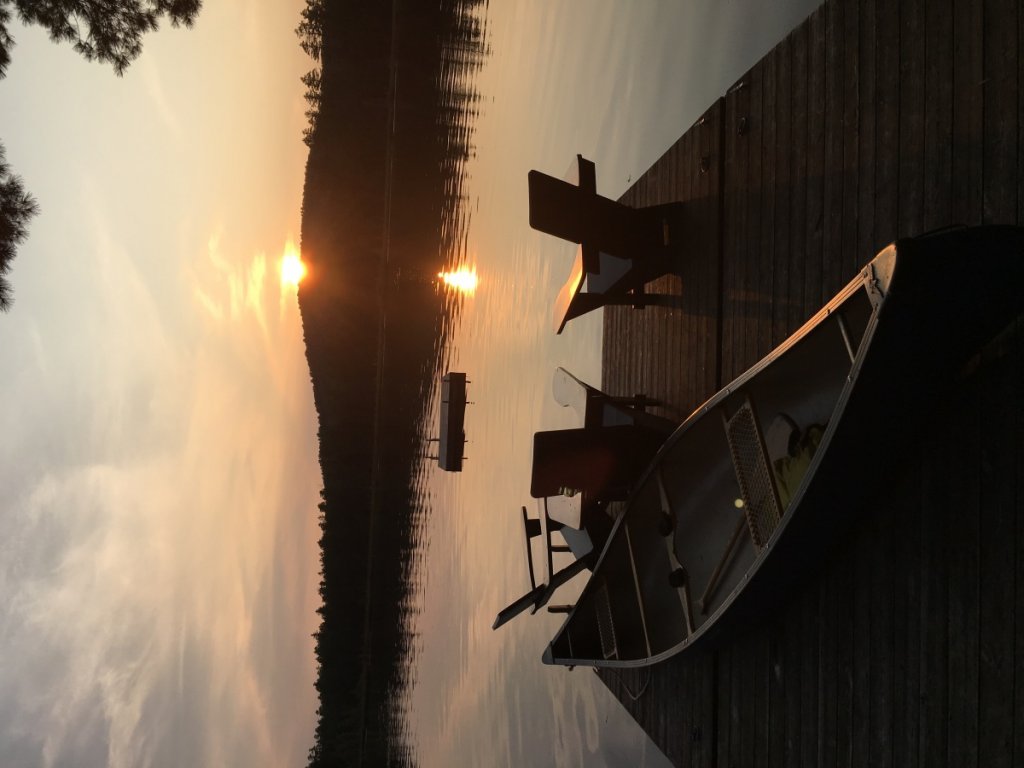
[158,468]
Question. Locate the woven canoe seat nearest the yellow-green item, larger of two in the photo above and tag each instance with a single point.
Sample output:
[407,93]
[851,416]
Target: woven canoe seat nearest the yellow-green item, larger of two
[757,483]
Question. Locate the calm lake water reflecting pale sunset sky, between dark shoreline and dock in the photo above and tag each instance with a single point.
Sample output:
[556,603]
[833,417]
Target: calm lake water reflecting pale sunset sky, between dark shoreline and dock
[620,83]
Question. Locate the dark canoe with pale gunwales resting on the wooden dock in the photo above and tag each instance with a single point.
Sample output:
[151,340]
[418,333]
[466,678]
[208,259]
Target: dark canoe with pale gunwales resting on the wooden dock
[749,496]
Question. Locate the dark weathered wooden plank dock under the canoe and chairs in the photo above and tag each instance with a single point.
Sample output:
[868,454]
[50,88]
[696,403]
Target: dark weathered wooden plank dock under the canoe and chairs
[871,121]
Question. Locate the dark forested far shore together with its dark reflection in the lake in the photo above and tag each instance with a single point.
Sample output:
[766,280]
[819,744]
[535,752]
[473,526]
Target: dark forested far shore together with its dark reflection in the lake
[392,111]
